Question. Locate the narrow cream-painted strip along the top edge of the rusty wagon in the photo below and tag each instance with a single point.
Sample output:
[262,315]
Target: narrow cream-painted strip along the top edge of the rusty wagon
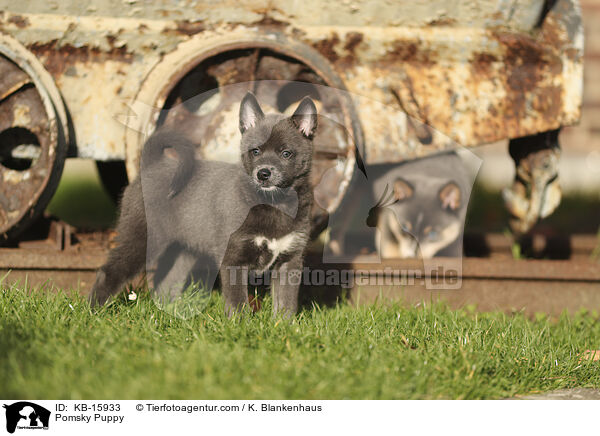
[190,15]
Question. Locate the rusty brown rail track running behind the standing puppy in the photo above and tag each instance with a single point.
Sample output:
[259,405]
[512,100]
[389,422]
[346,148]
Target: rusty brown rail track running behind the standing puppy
[566,277]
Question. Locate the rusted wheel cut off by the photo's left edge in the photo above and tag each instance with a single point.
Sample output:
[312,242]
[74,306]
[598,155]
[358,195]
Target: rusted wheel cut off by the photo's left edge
[33,144]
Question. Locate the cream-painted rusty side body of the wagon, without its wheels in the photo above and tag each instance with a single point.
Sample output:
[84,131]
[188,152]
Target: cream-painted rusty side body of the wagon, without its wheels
[476,72]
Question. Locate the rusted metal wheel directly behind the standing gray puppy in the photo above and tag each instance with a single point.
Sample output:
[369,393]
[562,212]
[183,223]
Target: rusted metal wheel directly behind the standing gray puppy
[200,95]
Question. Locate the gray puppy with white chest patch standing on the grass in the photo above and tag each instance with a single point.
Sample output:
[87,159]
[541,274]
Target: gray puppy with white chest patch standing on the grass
[195,218]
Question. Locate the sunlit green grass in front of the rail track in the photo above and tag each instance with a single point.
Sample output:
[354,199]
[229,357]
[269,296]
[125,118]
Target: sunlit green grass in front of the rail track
[53,346]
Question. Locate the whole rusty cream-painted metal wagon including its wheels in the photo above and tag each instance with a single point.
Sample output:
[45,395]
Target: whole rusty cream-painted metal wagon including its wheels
[90,79]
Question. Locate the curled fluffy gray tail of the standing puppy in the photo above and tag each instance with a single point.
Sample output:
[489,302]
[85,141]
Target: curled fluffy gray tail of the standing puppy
[154,151]
